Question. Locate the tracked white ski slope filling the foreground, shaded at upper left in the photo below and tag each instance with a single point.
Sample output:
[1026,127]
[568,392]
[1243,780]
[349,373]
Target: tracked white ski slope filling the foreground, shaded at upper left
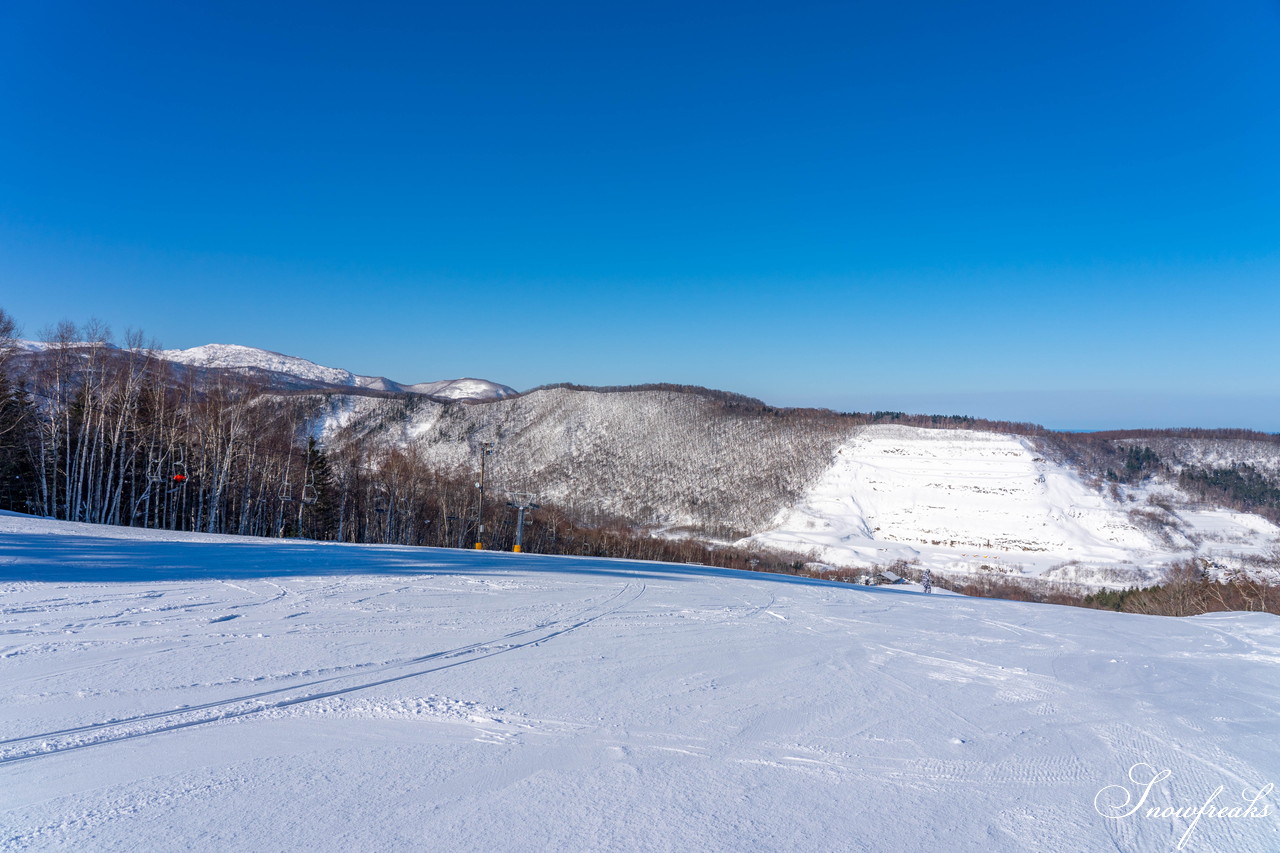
[186,692]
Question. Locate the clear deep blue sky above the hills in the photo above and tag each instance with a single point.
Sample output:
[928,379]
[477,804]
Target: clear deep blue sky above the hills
[1067,213]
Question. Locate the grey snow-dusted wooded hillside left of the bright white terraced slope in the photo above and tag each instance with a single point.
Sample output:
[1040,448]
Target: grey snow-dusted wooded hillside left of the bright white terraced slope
[683,459]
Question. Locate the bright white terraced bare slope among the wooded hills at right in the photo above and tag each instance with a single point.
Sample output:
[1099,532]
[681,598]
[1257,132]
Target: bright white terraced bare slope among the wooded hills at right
[970,503]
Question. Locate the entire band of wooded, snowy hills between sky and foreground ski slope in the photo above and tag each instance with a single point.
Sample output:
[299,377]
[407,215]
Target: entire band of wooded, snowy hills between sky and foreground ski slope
[109,435]
